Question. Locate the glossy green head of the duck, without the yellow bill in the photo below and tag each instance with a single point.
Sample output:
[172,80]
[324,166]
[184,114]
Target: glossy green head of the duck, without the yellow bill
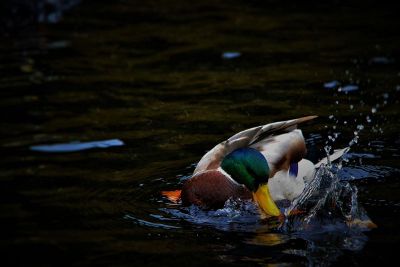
[247,166]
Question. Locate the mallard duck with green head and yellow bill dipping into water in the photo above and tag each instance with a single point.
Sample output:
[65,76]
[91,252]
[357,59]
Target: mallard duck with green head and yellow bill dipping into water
[265,164]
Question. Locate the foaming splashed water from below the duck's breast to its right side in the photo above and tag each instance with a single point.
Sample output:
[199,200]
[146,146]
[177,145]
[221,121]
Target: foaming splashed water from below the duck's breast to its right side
[327,200]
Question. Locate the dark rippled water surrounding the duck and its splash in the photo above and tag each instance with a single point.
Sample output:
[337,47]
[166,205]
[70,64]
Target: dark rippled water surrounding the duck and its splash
[151,73]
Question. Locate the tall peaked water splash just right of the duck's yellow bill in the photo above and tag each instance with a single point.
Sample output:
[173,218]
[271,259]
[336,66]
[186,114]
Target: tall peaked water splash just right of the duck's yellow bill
[327,200]
